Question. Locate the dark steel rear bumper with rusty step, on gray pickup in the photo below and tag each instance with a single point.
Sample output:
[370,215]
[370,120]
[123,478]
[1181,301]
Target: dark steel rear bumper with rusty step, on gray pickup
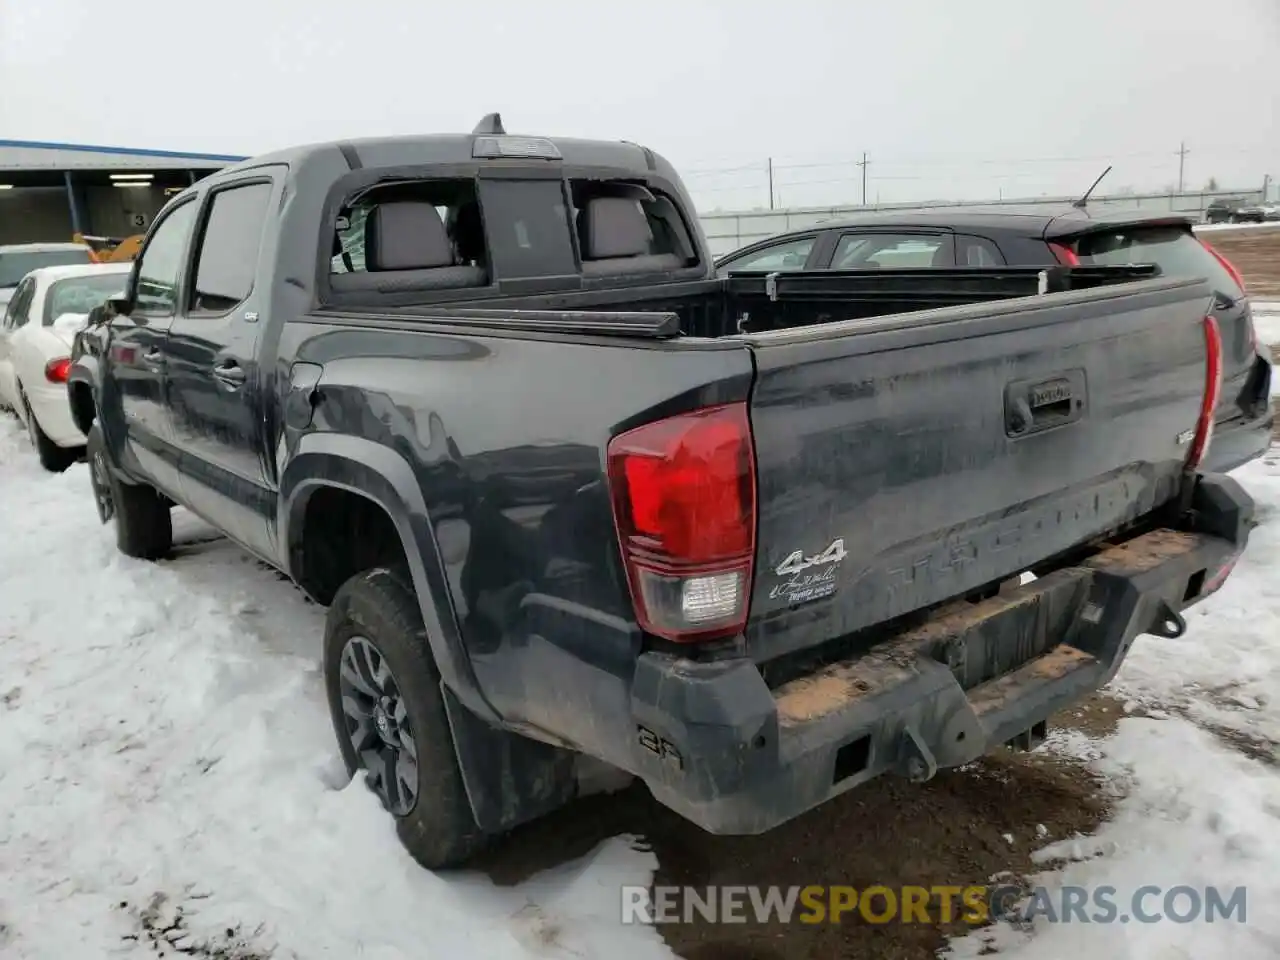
[716,744]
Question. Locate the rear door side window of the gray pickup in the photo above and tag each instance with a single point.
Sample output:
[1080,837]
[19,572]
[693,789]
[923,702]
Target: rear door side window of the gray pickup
[228,248]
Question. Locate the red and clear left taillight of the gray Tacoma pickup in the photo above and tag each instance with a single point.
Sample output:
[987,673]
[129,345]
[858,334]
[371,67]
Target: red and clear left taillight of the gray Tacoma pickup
[684,502]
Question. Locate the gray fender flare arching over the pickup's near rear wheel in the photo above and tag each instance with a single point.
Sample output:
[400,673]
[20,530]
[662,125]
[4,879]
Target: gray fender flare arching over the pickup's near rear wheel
[365,468]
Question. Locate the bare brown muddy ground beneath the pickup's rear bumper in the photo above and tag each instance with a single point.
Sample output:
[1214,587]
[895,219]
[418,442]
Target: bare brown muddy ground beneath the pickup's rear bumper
[964,828]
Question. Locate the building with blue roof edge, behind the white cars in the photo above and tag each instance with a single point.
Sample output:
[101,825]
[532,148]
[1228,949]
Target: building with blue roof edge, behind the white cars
[53,191]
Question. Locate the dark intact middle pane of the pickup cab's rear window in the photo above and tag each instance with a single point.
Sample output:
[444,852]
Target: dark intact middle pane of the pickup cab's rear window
[528,227]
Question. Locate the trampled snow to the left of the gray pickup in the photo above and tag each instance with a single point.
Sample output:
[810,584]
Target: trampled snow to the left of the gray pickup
[163,734]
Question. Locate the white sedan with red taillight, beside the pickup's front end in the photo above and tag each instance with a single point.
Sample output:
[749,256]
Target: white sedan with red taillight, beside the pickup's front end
[40,324]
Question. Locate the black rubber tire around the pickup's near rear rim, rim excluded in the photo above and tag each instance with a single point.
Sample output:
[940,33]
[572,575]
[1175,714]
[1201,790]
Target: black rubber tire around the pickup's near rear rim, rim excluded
[438,830]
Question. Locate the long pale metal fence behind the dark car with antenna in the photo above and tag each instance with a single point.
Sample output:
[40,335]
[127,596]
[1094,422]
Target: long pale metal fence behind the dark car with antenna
[730,231]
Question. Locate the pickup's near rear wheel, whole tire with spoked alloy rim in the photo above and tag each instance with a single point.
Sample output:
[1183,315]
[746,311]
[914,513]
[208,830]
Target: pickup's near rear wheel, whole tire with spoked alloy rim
[388,715]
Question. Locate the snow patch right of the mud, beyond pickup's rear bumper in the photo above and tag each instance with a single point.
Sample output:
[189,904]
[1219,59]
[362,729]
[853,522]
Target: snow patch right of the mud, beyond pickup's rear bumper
[1196,811]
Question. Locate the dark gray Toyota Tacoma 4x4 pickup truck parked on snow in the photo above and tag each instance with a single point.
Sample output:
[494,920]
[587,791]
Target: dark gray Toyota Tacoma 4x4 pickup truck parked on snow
[565,492]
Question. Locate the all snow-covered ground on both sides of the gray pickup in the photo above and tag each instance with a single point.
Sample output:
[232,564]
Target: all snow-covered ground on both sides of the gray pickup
[167,765]
